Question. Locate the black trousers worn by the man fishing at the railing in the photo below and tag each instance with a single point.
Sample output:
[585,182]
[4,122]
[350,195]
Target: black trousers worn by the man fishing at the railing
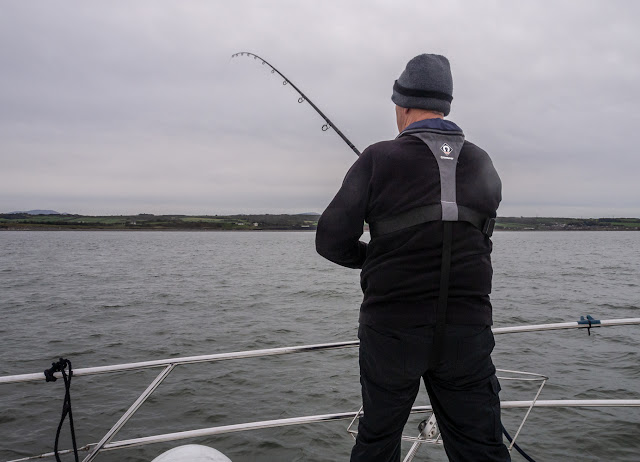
[462,387]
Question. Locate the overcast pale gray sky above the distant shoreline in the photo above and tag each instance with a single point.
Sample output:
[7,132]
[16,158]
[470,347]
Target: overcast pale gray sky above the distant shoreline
[127,107]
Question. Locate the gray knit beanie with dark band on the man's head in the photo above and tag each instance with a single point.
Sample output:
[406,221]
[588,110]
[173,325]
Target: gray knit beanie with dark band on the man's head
[426,83]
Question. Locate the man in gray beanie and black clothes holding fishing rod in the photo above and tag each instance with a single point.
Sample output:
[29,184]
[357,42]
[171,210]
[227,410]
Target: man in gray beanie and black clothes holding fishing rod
[430,198]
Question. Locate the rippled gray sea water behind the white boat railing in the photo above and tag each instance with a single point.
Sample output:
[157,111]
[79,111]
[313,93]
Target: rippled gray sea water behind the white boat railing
[101,298]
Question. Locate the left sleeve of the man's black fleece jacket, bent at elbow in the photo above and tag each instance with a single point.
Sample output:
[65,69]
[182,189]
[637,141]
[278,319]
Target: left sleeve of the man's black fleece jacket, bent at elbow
[341,224]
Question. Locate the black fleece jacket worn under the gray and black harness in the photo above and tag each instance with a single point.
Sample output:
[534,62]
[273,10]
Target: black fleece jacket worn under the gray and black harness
[400,275]
